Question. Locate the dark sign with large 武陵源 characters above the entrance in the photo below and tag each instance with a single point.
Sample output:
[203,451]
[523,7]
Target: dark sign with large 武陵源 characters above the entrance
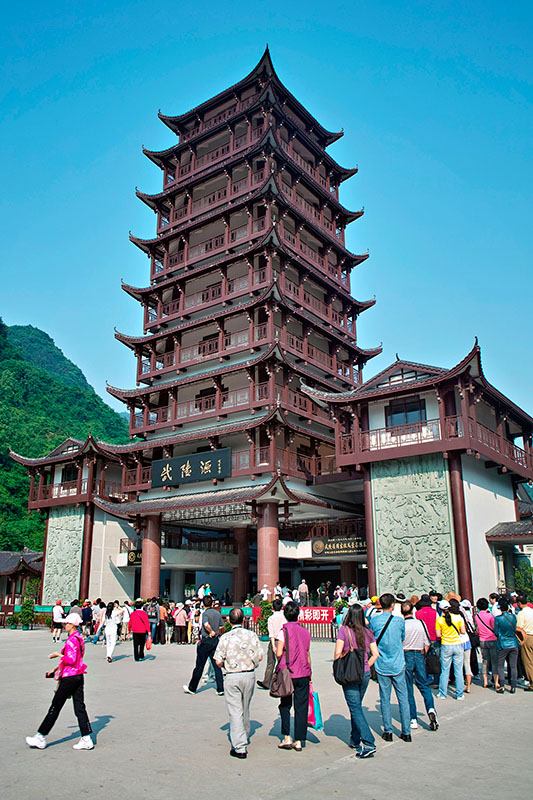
[192,468]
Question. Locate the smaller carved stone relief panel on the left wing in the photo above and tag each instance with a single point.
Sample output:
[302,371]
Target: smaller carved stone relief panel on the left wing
[63,554]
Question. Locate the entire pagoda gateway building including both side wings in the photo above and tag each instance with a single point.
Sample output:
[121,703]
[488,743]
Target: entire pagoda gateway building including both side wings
[250,354]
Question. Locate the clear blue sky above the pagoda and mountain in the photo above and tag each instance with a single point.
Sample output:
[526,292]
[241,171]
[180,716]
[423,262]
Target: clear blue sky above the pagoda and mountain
[435,101]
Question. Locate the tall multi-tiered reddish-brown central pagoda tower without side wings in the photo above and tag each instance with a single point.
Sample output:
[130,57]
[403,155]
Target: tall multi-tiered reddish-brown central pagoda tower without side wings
[248,299]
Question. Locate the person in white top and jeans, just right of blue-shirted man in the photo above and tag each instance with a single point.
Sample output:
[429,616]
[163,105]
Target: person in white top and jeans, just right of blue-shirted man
[415,646]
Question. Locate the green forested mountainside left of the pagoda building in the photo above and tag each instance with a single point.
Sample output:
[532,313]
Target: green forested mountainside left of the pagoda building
[44,398]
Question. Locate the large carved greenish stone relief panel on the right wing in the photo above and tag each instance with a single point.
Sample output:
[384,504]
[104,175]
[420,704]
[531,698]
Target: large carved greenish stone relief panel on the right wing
[413,527]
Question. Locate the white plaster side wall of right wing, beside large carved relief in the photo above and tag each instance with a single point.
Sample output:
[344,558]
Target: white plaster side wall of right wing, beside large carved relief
[488,500]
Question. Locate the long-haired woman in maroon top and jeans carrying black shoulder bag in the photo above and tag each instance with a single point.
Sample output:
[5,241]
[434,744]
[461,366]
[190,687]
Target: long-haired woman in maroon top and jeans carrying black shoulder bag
[354,635]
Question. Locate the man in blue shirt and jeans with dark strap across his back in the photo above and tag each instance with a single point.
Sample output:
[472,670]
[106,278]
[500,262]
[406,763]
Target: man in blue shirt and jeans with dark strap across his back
[389,631]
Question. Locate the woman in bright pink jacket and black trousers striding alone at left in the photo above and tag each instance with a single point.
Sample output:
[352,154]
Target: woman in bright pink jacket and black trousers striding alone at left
[70,683]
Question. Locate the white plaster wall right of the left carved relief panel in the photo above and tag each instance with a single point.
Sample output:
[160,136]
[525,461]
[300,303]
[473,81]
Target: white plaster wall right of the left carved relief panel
[108,580]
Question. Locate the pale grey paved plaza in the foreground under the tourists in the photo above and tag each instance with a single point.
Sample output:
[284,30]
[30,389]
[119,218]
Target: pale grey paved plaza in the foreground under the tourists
[153,741]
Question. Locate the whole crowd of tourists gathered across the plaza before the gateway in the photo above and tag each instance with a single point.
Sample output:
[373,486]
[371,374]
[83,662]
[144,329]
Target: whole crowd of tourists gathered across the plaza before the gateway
[401,643]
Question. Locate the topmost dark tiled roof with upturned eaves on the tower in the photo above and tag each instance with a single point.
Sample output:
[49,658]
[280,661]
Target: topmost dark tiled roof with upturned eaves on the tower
[264,71]
